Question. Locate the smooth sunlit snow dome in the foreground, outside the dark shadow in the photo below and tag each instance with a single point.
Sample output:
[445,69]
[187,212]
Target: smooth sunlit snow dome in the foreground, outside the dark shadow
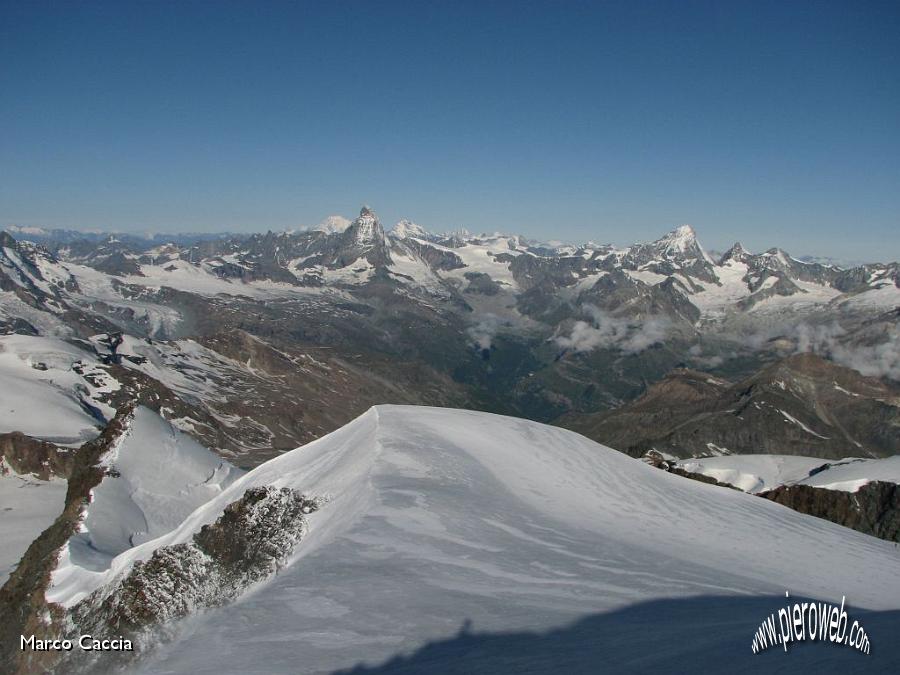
[439,517]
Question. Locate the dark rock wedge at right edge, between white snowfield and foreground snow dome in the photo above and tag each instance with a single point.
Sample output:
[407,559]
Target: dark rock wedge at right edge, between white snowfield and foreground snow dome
[873,509]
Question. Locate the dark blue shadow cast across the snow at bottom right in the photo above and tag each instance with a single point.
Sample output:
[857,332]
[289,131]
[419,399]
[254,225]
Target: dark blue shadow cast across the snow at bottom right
[708,634]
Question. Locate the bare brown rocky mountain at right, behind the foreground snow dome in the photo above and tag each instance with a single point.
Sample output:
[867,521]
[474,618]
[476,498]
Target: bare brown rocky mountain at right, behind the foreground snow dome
[803,405]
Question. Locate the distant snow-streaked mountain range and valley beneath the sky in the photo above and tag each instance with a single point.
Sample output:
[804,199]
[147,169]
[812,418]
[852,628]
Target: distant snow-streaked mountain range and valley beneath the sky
[488,321]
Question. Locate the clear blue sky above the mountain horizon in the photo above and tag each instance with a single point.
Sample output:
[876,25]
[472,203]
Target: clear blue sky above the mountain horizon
[776,123]
